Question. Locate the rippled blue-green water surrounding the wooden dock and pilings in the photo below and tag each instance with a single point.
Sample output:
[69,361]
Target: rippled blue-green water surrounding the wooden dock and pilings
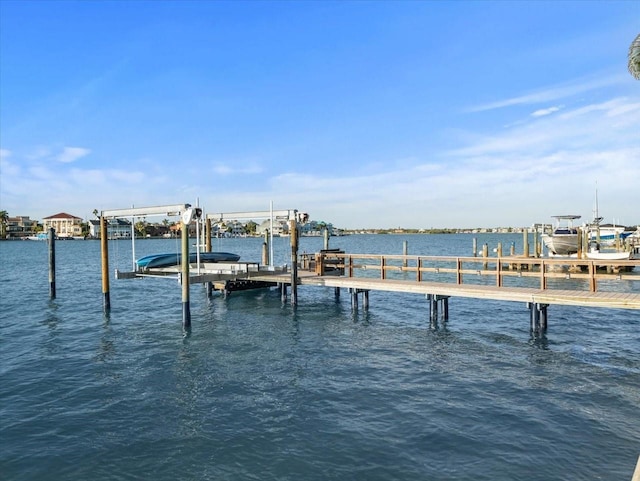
[259,390]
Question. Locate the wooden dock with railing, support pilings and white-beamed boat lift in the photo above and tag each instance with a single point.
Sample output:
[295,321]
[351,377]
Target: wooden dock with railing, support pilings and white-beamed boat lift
[537,281]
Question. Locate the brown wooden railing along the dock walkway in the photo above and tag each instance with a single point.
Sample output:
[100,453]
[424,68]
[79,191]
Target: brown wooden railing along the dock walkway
[542,273]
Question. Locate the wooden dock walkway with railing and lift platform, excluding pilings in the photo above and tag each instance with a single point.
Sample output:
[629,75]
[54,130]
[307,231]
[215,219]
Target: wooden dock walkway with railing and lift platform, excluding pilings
[539,281]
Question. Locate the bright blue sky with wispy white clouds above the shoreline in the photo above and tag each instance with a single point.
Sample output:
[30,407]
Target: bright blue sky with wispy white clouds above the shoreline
[364,114]
